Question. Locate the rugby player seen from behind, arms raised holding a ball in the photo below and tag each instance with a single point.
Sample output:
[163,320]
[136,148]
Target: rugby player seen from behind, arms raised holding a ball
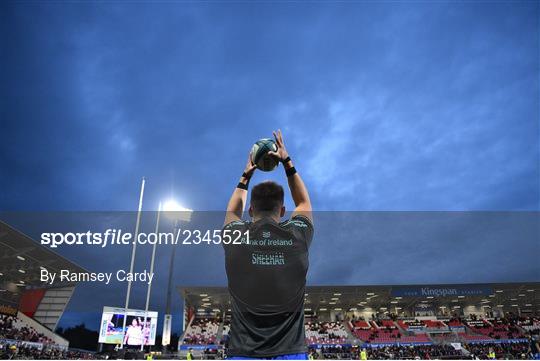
[267,271]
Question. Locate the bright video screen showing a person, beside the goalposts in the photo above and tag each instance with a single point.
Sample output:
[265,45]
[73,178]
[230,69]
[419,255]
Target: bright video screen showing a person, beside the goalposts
[137,331]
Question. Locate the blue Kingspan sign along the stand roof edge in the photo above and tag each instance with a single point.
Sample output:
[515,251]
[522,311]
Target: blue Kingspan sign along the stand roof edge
[441,291]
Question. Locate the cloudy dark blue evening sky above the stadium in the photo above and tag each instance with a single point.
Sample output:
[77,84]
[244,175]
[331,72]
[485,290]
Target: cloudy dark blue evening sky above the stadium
[385,106]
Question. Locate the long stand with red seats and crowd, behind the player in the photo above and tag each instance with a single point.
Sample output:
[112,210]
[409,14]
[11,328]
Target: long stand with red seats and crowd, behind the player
[338,326]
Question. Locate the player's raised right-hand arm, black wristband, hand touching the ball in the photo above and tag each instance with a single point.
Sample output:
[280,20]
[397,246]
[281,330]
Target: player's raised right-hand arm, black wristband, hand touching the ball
[298,189]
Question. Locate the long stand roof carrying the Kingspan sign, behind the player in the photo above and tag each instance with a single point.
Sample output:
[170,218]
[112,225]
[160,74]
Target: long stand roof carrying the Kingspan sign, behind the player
[505,296]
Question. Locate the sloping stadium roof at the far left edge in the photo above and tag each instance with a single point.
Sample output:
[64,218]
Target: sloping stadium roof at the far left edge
[21,261]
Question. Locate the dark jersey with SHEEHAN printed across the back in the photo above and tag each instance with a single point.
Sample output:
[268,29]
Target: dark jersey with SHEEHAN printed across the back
[267,280]
